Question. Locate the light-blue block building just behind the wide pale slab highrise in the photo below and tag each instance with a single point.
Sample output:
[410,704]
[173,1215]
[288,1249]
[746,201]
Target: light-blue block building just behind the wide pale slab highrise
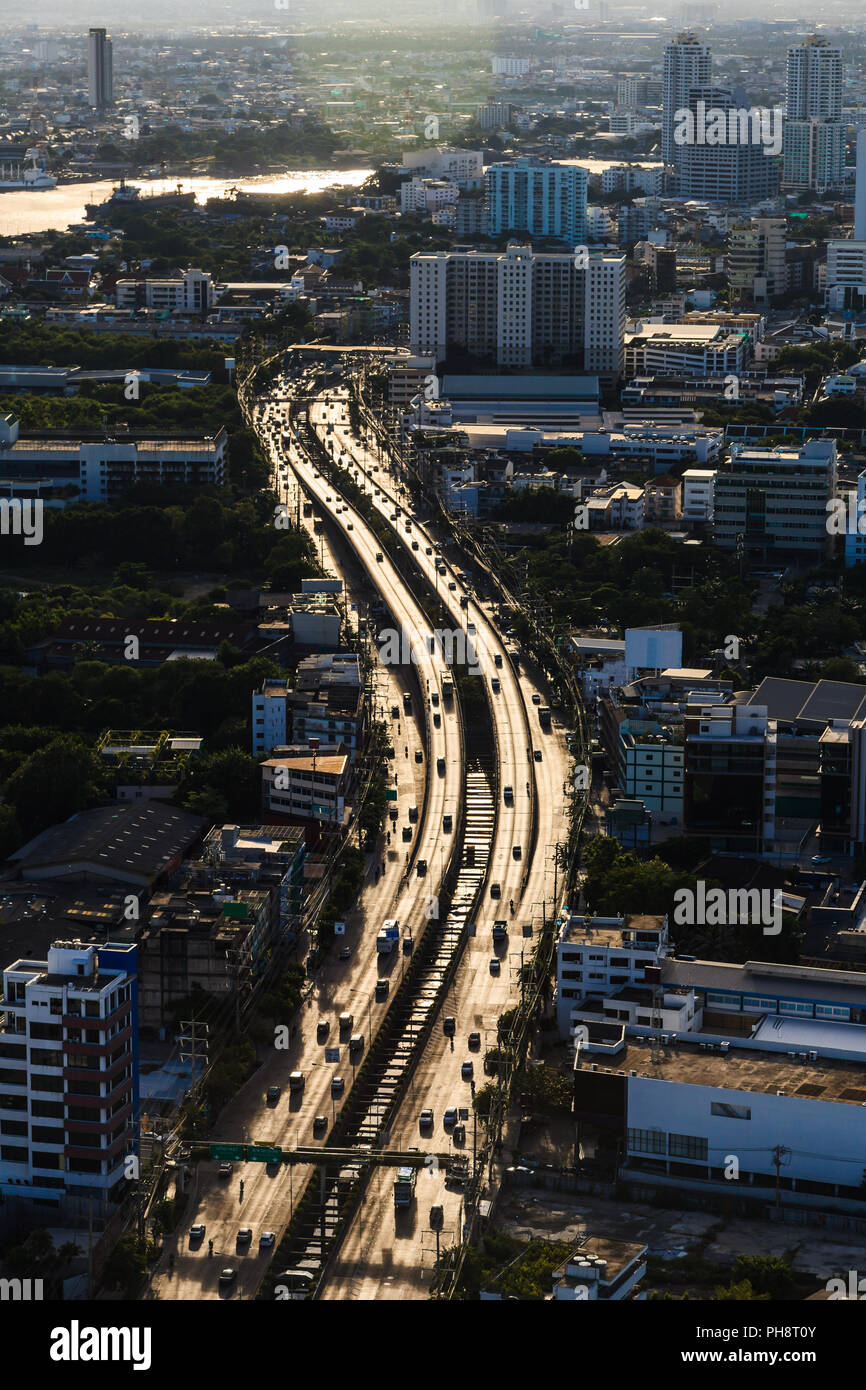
[537,199]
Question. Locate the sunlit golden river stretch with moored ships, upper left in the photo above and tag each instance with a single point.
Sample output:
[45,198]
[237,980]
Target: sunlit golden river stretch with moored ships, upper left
[56,209]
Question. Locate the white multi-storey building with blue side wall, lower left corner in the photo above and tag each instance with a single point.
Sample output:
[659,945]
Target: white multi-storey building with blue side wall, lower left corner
[69,1095]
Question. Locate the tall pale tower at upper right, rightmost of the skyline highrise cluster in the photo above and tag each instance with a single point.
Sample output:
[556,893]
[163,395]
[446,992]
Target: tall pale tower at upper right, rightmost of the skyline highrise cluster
[815,133]
